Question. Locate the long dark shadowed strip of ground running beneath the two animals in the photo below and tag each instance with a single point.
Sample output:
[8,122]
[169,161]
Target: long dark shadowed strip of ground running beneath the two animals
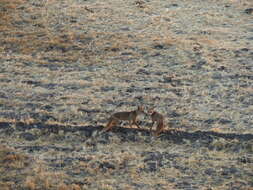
[128,134]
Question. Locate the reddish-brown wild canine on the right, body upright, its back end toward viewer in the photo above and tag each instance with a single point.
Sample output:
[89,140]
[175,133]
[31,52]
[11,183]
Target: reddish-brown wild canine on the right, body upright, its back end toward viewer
[158,119]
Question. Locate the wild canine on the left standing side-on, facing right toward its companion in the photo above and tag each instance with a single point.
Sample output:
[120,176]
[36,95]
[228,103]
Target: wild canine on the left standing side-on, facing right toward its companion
[124,116]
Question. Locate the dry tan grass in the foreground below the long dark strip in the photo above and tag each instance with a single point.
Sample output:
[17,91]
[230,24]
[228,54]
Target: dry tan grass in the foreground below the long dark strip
[62,162]
